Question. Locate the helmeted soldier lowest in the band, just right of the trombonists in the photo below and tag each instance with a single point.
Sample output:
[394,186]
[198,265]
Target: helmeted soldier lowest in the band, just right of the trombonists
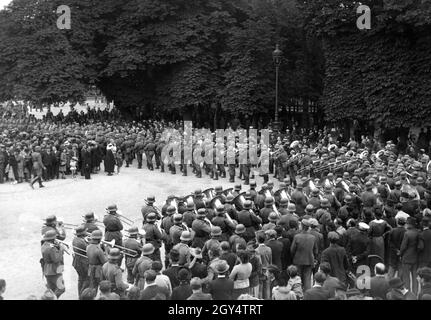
[112,272]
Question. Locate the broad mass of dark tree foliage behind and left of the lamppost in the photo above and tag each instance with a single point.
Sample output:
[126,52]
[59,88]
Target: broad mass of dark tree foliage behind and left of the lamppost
[163,54]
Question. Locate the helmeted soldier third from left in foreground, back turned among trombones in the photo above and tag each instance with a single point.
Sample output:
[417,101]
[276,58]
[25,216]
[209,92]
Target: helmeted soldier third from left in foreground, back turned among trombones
[96,259]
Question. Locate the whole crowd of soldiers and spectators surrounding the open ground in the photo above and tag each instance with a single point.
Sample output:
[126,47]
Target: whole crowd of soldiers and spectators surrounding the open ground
[342,207]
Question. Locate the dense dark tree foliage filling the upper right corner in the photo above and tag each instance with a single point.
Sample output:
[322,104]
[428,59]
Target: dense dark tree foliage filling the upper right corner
[382,74]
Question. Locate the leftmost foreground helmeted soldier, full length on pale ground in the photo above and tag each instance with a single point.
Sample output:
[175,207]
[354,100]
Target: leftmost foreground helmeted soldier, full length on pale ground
[52,263]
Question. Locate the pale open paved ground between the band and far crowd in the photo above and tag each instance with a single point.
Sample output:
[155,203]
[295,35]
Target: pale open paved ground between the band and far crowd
[23,210]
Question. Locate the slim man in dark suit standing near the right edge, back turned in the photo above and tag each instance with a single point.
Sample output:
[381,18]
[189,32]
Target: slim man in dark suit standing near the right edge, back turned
[409,254]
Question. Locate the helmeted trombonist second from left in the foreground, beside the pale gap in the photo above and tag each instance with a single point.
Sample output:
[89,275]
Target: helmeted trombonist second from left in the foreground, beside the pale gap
[80,259]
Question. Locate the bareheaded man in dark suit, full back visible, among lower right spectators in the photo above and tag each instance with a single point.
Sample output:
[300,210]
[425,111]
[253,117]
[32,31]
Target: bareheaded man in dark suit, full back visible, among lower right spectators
[304,249]
